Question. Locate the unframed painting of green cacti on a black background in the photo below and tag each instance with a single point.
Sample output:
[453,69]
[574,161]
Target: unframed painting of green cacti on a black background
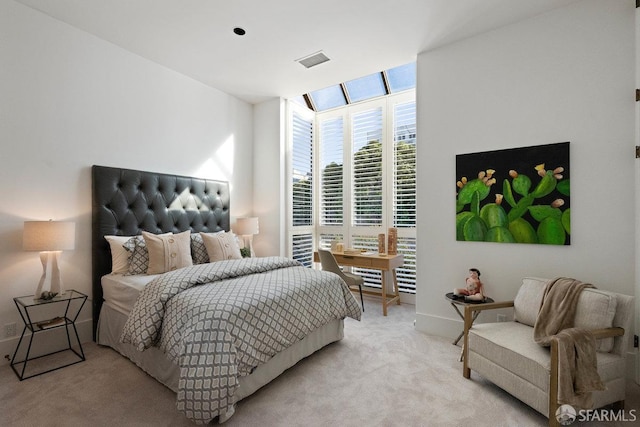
[519,195]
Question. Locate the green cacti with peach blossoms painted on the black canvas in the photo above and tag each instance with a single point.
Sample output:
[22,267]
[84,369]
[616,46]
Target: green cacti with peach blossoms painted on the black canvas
[493,223]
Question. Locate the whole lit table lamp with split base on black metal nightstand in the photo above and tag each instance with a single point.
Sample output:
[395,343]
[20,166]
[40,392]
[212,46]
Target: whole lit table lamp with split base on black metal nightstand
[50,238]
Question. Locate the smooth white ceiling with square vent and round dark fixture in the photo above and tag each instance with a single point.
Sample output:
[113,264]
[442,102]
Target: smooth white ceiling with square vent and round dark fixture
[196,38]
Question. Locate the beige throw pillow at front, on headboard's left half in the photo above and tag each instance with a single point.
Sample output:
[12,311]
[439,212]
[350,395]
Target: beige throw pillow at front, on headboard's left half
[168,252]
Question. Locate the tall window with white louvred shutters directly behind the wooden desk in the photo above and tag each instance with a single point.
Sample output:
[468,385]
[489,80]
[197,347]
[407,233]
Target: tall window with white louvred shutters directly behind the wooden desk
[376,181]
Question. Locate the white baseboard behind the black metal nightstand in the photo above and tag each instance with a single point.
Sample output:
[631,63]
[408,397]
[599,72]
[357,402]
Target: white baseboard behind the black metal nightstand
[46,342]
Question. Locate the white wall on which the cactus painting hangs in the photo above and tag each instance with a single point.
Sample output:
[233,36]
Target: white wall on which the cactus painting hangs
[567,75]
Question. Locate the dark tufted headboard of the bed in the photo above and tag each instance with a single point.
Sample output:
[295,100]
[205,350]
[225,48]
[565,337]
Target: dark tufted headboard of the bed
[126,202]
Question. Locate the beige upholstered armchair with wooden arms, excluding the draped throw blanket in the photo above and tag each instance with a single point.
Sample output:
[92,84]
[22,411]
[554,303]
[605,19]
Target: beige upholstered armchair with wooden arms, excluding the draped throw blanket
[506,353]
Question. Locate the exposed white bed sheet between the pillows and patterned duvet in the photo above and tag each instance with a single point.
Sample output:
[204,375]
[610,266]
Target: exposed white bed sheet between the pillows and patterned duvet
[121,292]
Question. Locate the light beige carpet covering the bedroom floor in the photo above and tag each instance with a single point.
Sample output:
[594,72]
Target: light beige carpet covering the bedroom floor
[383,373]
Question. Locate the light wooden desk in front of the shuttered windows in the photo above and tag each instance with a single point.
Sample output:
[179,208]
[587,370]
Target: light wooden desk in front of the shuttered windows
[387,264]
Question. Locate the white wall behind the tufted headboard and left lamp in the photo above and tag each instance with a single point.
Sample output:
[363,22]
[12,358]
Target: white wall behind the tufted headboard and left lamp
[69,100]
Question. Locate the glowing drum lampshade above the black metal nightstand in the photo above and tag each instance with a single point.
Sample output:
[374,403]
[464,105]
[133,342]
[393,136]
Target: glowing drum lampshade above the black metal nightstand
[49,236]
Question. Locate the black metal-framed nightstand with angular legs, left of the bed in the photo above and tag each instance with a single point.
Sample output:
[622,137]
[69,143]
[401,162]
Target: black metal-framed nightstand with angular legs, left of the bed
[41,315]
